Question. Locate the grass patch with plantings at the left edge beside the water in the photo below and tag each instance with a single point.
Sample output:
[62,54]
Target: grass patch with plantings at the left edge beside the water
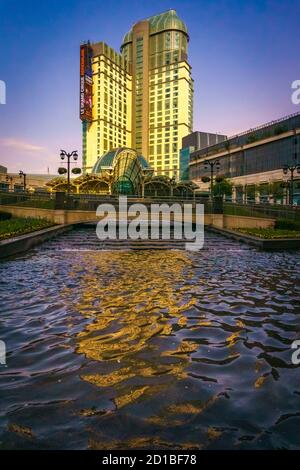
[19,226]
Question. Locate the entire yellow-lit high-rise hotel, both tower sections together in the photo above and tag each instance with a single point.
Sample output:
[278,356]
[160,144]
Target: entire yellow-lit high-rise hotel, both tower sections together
[143,97]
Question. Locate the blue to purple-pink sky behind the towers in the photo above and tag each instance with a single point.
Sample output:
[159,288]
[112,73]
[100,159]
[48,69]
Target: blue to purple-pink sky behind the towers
[244,57]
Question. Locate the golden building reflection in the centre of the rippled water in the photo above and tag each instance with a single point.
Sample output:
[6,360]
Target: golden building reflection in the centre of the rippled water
[135,300]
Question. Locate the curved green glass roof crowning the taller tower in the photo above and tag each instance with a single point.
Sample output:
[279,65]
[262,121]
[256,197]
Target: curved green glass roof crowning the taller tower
[165,21]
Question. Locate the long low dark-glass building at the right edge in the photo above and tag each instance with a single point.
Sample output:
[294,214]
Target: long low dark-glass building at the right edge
[254,161]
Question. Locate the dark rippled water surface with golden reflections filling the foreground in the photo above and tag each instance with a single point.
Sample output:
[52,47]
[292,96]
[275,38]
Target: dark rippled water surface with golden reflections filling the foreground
[149,349]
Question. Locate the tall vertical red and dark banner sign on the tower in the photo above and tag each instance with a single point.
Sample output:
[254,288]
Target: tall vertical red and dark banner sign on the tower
[86,82]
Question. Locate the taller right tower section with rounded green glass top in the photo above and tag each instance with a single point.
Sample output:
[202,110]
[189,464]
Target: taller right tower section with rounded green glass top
[162,100]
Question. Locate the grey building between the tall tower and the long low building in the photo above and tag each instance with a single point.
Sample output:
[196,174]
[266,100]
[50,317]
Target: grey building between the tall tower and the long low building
[192,142]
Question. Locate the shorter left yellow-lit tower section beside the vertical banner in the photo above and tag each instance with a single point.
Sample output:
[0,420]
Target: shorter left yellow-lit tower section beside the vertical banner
[110,125]
